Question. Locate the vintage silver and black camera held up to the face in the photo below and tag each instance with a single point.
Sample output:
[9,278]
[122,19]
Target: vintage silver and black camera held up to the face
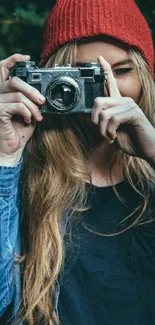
[66,89]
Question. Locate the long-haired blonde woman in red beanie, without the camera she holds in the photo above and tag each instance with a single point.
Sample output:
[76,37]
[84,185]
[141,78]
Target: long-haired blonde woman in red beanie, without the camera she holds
[87,181]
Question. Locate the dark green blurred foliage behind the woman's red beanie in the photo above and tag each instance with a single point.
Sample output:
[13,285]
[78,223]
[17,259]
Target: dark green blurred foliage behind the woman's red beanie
[21,24]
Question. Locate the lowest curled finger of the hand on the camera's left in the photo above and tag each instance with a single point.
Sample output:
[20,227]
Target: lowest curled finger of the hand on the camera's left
[8,110]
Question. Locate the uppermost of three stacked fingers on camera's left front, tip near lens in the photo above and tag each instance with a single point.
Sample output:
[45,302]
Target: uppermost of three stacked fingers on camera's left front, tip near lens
[16,84]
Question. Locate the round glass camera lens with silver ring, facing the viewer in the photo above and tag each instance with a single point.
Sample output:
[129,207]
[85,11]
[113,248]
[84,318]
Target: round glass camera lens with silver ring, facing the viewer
[63,94]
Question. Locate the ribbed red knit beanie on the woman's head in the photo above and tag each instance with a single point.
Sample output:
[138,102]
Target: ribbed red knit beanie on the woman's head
[74,19]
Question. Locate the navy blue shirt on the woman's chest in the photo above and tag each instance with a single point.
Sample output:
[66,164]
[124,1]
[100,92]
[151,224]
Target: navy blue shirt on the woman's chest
[109,280]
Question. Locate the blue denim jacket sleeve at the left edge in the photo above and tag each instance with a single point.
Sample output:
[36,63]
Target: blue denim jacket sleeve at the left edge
[9,227]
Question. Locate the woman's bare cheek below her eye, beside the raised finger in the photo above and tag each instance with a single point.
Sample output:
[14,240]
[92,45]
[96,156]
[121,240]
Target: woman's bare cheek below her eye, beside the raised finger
[130,87]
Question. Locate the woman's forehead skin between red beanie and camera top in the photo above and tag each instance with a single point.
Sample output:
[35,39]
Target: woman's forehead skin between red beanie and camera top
[89,52]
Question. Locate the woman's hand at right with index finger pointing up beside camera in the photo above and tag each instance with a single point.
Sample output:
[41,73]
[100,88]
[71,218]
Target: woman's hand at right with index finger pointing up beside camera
[121,120]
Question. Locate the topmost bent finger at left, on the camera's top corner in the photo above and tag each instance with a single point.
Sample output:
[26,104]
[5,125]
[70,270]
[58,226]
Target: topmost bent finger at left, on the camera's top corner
[7,64]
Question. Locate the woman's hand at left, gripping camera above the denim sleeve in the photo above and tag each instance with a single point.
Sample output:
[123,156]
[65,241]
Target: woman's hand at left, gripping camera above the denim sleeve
[18,106]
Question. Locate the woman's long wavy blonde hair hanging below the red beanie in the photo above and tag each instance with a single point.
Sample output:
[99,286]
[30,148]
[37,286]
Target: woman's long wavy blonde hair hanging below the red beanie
[53,180]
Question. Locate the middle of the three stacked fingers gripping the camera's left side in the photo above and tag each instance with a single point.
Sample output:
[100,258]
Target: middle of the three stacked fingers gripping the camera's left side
[21,98]
